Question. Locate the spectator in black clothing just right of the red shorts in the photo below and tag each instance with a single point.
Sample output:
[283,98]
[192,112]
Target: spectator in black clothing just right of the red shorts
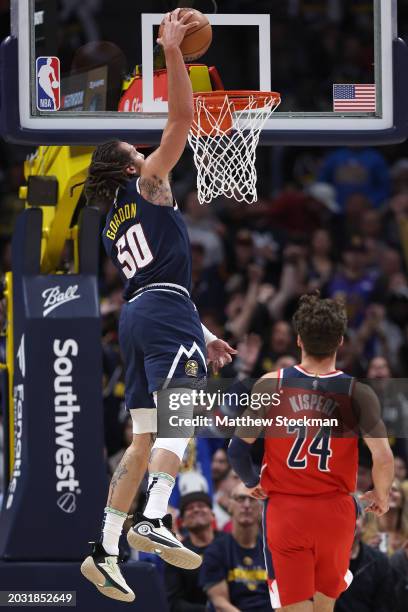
[372,587]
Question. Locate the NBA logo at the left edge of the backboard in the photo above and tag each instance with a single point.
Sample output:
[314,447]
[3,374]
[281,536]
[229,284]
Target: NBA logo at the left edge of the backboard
[48,83]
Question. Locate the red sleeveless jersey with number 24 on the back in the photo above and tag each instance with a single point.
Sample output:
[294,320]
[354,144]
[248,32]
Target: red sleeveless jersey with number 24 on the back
[311,445]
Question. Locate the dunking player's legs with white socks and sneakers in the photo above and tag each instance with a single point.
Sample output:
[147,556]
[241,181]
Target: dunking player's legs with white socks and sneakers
[152,529]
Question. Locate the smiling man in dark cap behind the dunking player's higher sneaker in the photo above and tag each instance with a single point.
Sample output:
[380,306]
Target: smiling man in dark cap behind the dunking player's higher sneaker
[182,586]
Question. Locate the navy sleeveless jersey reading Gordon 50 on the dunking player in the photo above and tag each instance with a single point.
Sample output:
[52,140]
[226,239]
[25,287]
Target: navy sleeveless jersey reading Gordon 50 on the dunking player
[148,243]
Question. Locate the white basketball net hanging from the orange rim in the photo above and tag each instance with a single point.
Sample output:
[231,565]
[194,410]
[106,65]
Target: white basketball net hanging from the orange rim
[224,142]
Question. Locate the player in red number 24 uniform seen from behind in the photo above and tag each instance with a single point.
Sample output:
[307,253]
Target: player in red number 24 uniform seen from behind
[309,472]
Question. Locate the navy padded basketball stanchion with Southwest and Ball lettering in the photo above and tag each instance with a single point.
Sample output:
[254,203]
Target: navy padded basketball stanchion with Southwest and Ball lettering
[58,476]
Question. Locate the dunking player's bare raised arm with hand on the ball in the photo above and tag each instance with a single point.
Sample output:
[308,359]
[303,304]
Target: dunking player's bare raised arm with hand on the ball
[180,99]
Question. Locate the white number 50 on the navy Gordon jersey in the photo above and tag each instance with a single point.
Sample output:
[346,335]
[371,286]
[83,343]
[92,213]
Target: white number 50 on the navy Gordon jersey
[133,251]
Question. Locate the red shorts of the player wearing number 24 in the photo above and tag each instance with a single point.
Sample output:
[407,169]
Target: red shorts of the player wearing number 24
[308,545]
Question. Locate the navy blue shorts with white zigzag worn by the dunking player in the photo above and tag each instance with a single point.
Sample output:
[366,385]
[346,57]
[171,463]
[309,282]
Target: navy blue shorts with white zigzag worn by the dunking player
[162,344]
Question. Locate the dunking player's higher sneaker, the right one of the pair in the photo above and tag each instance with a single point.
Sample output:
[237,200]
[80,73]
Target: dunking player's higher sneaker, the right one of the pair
[156,536]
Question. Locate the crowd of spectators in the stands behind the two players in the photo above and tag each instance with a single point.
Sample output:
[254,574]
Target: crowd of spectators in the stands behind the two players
[344,230]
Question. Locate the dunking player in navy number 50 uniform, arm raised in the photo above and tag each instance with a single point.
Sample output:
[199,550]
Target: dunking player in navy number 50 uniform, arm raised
[160,334]
